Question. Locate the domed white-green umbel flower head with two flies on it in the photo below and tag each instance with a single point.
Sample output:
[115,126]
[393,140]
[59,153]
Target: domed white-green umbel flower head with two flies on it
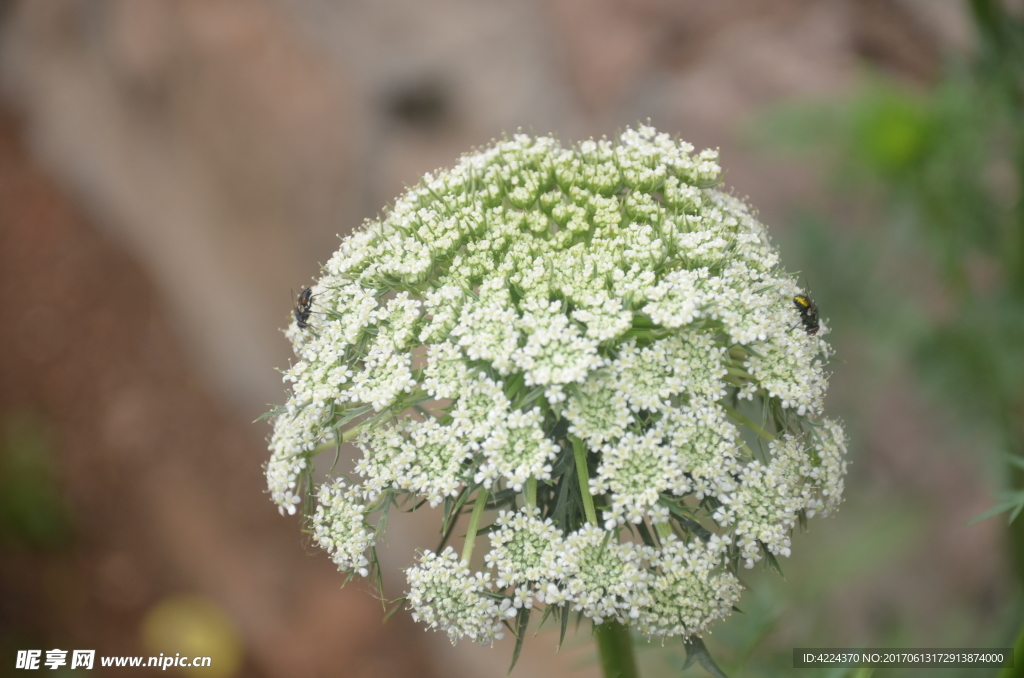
[591,350]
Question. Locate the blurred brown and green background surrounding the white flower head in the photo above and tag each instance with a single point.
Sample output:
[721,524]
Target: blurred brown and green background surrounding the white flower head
[172,171]
